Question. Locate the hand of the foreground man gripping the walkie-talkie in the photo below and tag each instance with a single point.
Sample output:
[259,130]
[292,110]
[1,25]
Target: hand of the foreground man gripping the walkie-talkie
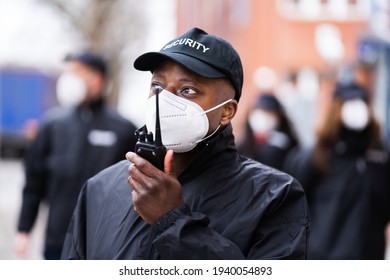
[155,193]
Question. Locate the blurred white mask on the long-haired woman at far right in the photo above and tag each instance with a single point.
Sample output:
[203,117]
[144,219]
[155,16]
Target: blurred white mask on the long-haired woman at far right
[354,114]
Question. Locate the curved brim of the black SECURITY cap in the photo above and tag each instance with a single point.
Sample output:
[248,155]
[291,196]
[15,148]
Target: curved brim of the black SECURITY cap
[149,61]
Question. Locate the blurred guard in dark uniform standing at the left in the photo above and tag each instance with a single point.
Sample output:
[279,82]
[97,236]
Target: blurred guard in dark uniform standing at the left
[75,142]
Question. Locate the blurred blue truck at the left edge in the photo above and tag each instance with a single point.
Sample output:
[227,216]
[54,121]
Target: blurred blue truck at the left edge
[25,95]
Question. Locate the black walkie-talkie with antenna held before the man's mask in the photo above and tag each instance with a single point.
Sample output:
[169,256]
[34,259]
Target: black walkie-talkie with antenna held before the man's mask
[152,150]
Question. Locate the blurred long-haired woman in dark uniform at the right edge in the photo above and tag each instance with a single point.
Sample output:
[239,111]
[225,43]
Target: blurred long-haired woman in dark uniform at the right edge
[346,178]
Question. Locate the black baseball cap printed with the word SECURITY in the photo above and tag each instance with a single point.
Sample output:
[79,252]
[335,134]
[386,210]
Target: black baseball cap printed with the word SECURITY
[204,54]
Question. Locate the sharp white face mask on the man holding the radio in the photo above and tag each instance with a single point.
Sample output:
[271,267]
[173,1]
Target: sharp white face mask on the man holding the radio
[183,123]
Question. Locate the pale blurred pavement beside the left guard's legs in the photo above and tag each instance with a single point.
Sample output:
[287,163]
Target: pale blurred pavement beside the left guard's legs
[11,184]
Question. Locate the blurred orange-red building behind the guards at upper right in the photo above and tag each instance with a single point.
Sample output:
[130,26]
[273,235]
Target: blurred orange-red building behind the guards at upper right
[285,35]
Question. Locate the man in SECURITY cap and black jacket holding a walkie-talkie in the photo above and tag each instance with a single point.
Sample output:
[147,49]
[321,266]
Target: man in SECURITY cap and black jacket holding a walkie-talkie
[207,201]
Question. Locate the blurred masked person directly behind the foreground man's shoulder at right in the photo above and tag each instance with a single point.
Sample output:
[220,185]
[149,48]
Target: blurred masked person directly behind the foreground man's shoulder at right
[269,134]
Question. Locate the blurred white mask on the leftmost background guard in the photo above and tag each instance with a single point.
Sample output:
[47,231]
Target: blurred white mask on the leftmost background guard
[71,89]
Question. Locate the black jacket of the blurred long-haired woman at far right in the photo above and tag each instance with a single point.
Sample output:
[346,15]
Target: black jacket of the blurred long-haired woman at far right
[349,207]
